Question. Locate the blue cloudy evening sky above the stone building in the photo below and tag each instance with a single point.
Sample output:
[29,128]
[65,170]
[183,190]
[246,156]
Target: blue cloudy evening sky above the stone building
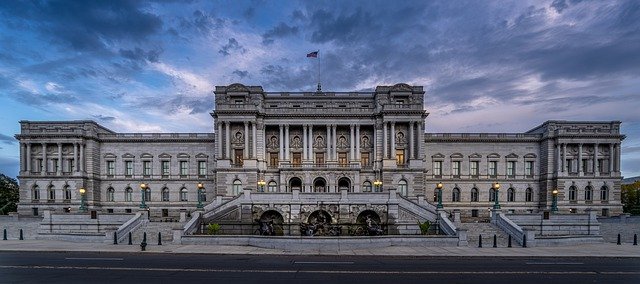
[487,66]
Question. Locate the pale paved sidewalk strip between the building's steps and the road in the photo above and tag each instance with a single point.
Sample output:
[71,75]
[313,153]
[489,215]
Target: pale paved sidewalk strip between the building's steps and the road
[587,250]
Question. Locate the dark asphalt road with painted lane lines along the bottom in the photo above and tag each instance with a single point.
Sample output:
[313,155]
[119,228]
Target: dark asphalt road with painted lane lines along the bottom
[76,267]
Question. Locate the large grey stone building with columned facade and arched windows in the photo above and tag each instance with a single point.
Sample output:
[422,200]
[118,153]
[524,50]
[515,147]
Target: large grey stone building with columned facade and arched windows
[322,142]
